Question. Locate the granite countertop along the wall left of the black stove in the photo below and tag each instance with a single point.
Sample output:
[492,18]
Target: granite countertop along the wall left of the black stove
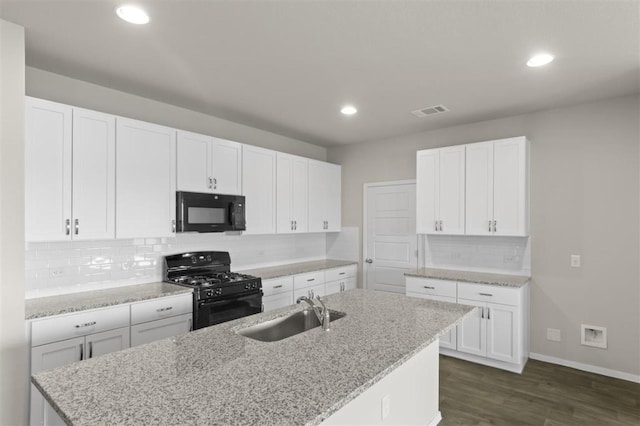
[75,302]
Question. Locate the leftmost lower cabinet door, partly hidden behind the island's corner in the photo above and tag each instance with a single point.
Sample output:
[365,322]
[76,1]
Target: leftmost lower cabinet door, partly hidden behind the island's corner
[45,357]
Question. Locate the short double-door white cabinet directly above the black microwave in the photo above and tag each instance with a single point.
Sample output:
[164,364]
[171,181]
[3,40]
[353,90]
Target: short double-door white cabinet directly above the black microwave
[207,164]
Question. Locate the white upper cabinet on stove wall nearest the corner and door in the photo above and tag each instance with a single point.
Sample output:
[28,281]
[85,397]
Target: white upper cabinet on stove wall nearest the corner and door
[325,195]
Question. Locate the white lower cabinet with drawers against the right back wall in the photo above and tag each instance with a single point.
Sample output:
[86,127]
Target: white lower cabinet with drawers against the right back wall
[495,334]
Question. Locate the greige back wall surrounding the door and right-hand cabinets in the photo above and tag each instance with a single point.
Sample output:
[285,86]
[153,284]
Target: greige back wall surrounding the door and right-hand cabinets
[585,200]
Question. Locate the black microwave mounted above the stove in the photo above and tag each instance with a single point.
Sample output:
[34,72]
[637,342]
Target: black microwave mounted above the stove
[199,212]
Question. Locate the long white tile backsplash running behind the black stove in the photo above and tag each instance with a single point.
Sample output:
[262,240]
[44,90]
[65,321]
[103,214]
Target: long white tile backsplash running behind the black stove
[69,267]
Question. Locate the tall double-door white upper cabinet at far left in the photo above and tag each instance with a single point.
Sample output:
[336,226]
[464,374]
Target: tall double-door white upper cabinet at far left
[70,173]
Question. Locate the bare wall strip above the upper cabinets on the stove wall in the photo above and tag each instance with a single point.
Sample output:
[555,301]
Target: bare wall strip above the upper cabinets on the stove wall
[58,88]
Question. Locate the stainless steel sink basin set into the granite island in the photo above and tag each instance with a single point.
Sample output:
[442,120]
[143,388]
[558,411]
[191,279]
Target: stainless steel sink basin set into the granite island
[283,327]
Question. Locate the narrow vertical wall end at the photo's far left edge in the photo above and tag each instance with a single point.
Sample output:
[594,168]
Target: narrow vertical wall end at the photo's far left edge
[13,351]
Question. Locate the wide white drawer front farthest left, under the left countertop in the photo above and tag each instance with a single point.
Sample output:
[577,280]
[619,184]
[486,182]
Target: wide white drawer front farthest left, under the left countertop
[80,324]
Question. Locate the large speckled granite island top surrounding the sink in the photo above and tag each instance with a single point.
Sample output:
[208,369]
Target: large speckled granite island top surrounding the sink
[214,376]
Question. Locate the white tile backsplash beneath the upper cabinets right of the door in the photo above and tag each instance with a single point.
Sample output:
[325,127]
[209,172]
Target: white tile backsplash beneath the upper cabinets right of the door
[510,255]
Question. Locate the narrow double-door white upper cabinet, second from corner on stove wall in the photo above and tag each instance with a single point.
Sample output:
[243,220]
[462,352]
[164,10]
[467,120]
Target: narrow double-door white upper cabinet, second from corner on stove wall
[292,193]
